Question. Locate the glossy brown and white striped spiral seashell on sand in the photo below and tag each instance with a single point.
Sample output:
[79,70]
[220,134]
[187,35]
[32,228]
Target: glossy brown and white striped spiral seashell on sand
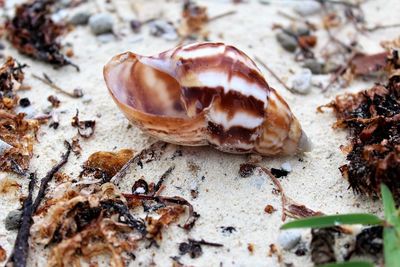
[204,93]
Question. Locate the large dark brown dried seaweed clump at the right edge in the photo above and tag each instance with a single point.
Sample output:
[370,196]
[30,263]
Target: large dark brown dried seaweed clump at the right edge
[373,120]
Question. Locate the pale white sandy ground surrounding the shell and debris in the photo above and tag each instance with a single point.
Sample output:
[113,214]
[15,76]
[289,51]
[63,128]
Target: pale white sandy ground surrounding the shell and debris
[224,199]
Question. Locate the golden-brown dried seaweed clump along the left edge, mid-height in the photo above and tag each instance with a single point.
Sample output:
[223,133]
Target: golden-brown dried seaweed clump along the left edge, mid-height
[16,131]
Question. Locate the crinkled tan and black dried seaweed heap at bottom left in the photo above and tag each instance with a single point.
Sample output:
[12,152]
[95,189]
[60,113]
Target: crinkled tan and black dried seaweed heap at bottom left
[80,225]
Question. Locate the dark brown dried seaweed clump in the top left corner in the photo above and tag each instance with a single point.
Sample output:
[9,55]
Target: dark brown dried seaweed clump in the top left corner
[34,33]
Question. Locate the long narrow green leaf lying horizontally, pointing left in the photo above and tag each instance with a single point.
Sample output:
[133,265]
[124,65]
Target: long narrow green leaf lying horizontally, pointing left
[333,220]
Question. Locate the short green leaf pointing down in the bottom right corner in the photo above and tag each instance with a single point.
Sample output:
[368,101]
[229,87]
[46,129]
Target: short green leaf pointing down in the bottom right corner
[391,247]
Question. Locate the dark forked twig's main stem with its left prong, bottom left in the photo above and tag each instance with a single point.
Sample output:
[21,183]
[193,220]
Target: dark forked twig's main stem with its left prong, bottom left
[19,254]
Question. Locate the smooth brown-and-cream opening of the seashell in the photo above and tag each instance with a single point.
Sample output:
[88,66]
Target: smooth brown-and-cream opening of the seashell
[144,88]
